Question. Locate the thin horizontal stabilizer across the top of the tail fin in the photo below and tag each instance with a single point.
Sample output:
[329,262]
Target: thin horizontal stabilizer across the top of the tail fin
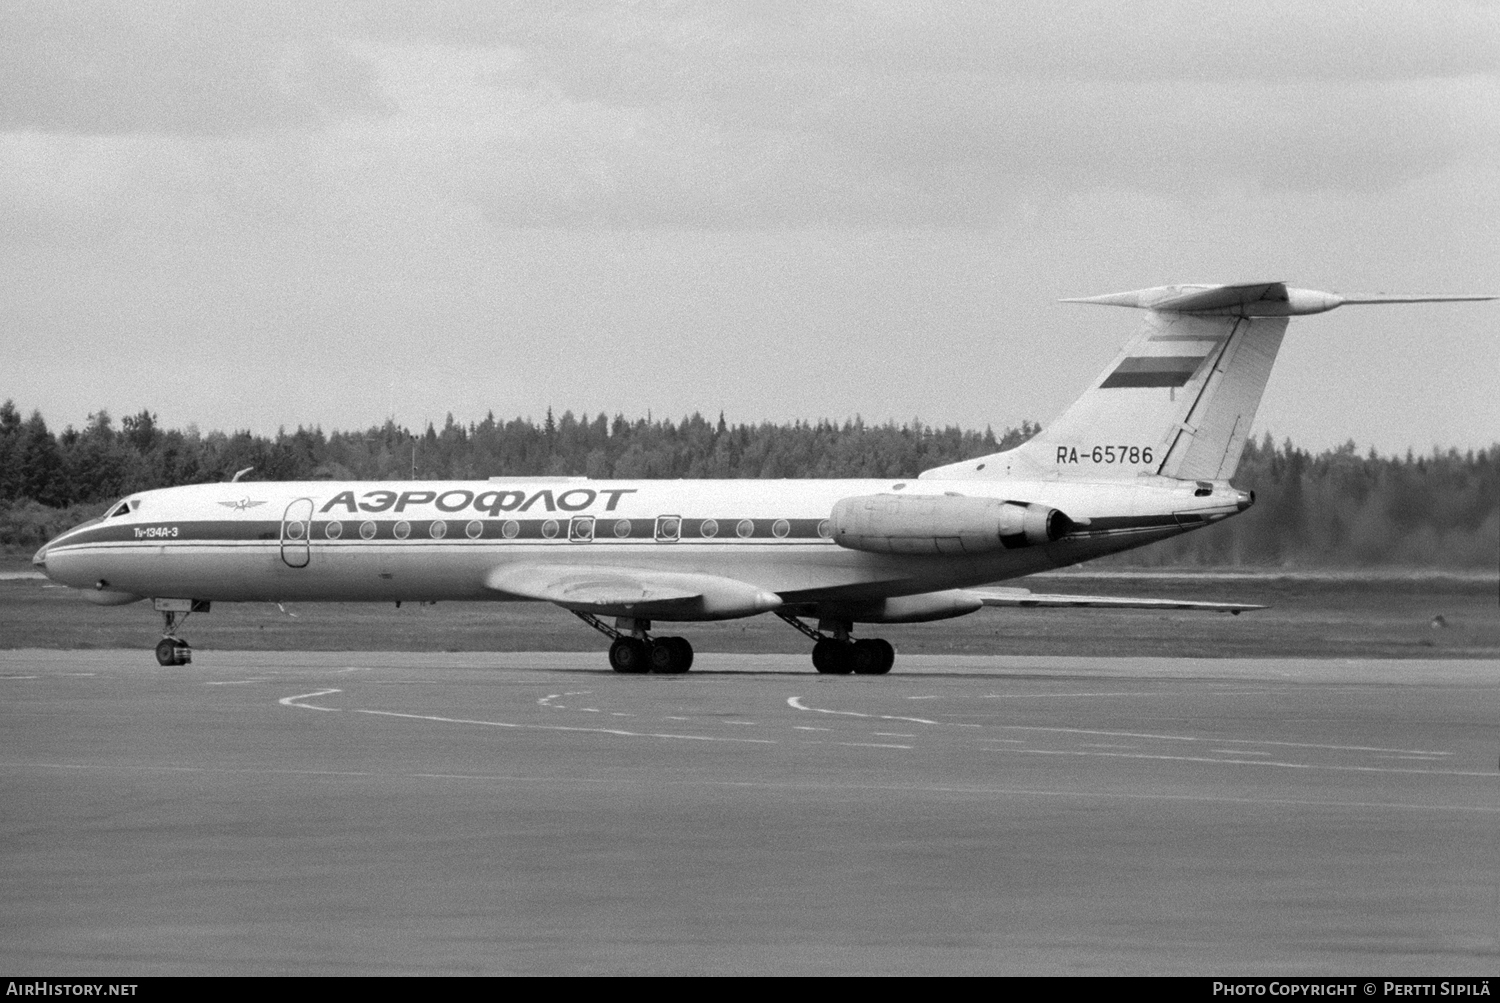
[1258,299]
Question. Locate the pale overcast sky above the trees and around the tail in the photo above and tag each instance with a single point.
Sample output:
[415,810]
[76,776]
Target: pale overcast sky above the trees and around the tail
[290,214]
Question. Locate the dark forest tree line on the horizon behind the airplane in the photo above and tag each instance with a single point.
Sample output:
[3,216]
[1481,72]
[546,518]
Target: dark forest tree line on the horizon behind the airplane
[1334,509]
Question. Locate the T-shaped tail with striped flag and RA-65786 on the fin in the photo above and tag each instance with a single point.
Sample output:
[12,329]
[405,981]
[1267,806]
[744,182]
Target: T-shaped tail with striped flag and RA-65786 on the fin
[1181,397]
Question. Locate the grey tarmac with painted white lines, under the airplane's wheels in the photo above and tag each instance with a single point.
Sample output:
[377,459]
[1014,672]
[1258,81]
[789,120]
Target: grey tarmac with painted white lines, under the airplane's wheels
[335,813]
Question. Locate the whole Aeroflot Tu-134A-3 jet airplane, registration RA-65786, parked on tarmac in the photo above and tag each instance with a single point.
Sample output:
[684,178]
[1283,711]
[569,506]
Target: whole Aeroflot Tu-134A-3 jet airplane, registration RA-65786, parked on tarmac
[1147,454]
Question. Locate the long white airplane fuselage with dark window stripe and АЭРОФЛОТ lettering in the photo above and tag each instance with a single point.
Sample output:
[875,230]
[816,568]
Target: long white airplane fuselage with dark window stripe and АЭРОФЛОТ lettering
[445,540]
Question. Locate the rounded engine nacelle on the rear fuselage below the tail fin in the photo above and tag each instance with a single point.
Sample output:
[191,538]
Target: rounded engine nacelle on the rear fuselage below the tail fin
[943,524]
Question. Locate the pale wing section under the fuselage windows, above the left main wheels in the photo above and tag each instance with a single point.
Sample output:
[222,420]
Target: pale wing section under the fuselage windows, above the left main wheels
[614,591]
